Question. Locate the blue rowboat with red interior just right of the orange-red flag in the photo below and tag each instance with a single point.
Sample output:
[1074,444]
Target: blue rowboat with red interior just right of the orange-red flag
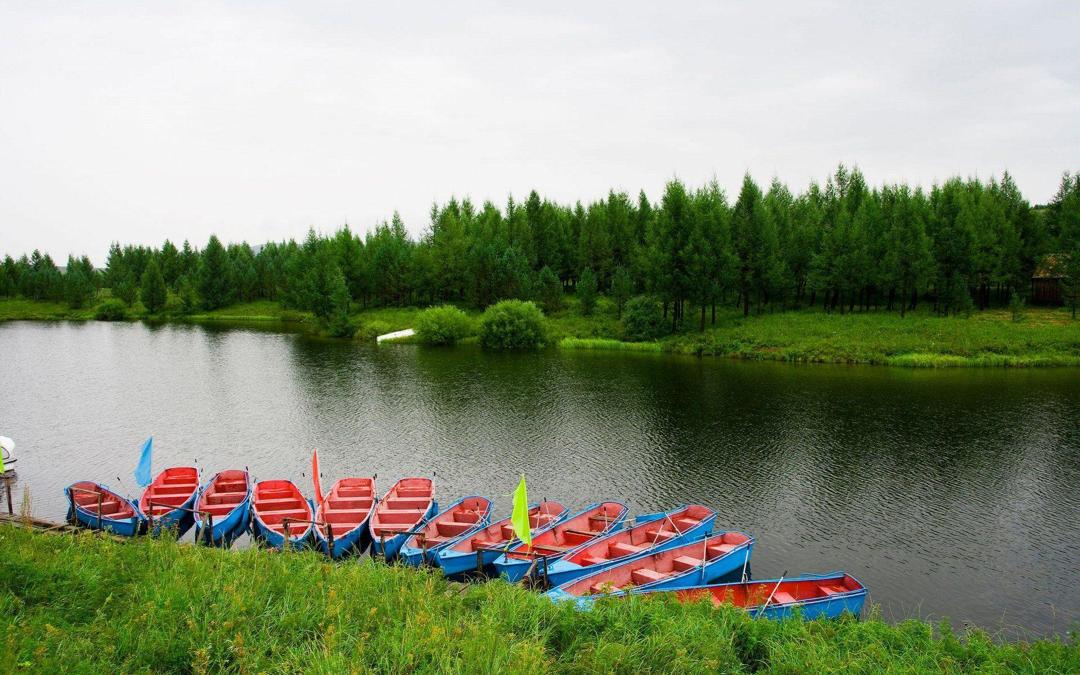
[345,514]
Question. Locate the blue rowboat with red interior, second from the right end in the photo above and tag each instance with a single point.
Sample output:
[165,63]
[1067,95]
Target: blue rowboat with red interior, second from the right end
[691,564]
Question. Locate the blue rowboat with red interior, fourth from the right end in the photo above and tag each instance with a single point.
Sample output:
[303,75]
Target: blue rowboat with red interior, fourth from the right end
[568,536]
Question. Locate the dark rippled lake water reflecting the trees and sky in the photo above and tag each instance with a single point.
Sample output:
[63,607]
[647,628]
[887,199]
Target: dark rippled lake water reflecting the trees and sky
[950,494]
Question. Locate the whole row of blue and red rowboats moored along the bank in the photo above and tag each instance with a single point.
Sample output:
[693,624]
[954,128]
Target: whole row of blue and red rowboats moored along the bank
[578,556]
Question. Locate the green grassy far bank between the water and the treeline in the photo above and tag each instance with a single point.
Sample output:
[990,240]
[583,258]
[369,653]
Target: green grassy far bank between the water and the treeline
[1043,337]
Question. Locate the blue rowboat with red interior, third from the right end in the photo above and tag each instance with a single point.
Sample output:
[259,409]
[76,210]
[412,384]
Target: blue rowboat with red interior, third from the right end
[656,534]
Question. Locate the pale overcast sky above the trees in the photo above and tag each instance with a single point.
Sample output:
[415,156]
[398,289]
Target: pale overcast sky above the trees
[255,120]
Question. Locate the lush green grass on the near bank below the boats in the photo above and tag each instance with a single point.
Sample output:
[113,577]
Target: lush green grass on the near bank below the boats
[88,604]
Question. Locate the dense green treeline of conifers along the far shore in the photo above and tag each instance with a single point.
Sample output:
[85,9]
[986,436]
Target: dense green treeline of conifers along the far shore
[844,247]
